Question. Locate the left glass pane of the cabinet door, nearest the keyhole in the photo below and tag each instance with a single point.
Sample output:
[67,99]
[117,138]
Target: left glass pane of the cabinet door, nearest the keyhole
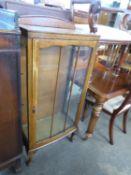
[47,78]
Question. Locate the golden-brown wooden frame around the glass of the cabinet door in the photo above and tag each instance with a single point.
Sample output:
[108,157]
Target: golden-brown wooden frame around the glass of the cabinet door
[33,60]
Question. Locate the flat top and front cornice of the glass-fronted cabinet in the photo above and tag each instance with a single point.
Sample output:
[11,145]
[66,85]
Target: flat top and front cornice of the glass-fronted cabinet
[58,33]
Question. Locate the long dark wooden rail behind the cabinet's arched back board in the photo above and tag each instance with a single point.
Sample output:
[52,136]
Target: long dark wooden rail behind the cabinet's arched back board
[28,9]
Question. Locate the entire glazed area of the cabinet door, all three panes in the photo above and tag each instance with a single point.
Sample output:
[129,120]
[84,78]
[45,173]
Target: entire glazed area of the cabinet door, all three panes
[61,75]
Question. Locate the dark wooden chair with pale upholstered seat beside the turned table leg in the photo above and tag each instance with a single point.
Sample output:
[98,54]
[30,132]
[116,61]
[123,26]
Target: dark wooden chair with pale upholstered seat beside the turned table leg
[114,107]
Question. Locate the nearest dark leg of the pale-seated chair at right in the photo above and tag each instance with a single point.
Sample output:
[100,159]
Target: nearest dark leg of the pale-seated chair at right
[111,124]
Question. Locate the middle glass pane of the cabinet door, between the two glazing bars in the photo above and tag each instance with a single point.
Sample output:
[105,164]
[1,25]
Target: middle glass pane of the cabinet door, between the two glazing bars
[64,71]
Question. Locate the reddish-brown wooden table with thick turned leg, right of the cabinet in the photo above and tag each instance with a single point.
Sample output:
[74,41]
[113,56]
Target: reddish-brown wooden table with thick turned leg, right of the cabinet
[105,85]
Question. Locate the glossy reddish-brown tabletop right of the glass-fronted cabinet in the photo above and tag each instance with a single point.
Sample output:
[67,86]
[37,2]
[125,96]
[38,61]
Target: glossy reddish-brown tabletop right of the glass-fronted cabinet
[111,85]
